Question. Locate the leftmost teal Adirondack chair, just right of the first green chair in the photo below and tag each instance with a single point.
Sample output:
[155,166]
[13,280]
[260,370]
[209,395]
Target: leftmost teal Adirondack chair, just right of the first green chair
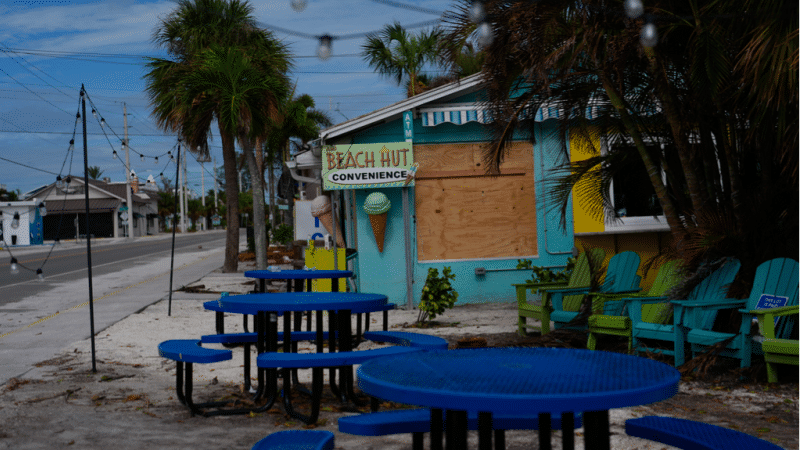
[620,278]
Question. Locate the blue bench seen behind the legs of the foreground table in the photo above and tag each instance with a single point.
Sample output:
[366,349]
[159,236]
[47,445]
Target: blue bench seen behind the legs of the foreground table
[418,421]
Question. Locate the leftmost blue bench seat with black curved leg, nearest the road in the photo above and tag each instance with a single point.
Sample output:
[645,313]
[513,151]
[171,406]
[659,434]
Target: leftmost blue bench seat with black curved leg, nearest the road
[185,353]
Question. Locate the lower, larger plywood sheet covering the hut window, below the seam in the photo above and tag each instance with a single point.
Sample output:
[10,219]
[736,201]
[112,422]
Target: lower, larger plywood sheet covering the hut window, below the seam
[476,217]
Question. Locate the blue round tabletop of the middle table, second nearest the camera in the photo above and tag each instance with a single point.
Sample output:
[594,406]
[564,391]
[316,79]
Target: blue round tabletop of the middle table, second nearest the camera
[302,301]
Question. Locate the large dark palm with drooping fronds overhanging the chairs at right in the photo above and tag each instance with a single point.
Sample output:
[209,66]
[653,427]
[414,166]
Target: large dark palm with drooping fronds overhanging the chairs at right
[719,91]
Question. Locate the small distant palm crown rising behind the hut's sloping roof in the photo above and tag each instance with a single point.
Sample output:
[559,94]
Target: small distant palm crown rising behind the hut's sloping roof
[396,54]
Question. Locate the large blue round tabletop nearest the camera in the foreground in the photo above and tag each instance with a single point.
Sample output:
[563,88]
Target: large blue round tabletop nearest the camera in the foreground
[519,380]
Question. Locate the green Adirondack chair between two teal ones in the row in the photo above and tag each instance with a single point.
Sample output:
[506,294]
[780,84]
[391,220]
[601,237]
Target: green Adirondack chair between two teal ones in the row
[614,319]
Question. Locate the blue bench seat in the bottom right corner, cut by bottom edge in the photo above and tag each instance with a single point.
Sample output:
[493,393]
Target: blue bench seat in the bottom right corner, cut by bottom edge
[691,435]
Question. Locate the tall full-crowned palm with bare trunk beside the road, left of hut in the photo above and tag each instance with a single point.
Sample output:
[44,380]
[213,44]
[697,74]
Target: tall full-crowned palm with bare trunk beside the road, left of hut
[187,34]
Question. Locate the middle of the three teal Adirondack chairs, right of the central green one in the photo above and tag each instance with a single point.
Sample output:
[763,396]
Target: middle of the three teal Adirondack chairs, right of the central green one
[713,287]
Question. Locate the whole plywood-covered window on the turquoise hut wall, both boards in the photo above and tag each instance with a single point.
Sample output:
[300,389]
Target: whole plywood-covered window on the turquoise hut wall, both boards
[463,214]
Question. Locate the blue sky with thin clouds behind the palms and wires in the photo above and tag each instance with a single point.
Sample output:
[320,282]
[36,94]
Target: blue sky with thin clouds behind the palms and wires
[49,48]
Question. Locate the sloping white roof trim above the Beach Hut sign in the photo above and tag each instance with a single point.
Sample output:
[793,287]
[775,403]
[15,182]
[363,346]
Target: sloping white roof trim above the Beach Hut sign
[397,109]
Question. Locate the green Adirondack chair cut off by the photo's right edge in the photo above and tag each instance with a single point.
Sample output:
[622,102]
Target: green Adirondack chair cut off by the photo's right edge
[776,350]
